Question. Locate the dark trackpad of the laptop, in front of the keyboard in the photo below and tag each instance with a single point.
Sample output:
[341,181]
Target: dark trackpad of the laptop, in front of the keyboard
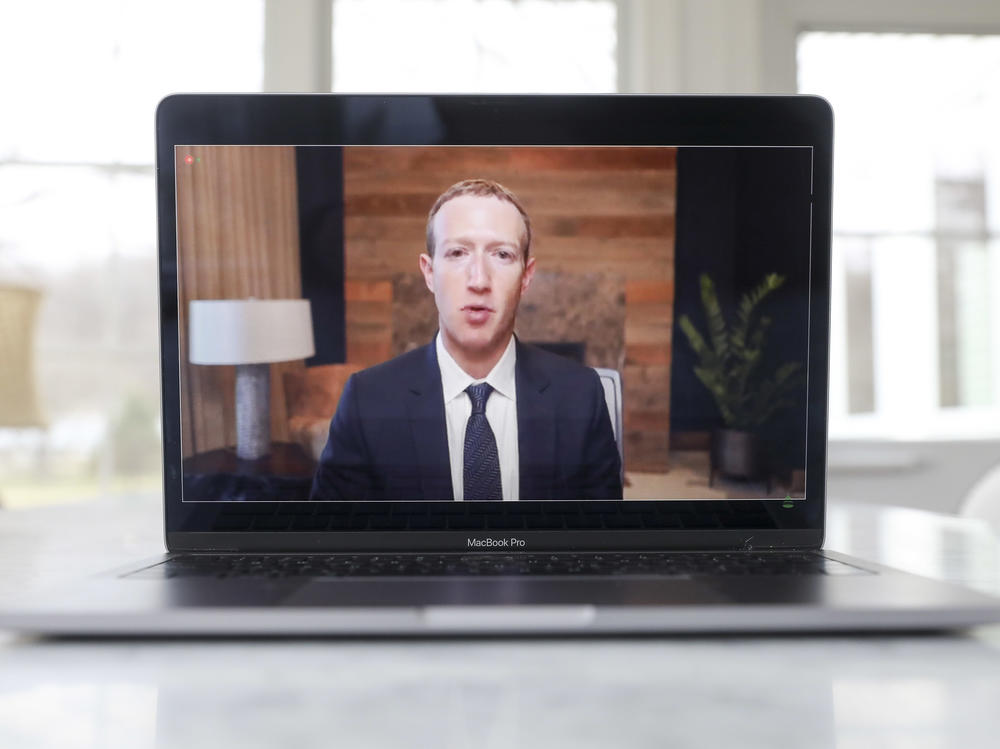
[464,591]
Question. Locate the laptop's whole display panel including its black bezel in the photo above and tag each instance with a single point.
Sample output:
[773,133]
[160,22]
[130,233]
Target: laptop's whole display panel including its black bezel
[597,320]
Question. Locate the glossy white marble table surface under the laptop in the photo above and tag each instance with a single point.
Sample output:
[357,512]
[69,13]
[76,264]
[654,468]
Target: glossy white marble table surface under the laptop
[843,692]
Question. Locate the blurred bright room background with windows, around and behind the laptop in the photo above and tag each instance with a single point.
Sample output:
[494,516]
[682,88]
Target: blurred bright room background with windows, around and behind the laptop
[915,85]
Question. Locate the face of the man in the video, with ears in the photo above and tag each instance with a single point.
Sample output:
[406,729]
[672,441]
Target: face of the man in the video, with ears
[477,274]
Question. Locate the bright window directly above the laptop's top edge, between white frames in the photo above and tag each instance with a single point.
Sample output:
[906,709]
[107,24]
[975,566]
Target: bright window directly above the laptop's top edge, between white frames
[454,46]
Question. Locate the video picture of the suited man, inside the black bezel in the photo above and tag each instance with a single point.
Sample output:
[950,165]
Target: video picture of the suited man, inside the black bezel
[493,323]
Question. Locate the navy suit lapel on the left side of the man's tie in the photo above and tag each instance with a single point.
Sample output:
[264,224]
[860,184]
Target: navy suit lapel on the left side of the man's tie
[425,411]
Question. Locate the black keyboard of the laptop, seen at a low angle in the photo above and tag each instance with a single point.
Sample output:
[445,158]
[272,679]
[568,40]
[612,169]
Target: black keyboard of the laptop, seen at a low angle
[674,564]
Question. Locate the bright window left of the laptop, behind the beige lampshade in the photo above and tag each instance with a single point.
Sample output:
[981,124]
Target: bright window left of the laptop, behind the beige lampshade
[78,225]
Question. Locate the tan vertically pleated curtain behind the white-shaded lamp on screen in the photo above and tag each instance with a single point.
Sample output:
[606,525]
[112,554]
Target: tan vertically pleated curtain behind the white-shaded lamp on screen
[237,237]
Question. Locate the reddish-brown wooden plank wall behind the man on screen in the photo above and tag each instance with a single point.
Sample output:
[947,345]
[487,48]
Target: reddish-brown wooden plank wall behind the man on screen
[594,210]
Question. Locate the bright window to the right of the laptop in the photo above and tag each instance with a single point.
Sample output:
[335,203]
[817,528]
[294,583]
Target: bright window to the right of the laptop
[916,222]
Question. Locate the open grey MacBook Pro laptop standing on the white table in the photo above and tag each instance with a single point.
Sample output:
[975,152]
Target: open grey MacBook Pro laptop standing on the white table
[495,364]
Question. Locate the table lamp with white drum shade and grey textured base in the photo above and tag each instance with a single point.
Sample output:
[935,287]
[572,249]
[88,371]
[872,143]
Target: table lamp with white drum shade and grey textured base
[252,334]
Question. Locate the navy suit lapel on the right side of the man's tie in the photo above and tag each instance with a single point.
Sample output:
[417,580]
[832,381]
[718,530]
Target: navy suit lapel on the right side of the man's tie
[535,427]
